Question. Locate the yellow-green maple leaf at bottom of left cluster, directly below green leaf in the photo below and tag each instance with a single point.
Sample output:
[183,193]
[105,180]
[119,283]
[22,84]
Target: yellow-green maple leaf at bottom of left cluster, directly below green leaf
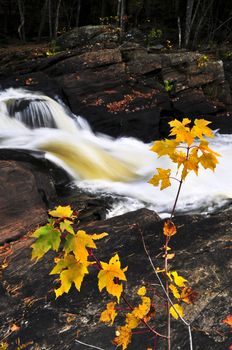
[70,271]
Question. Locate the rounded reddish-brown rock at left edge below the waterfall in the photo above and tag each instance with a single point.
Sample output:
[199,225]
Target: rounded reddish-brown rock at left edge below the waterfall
[22,199]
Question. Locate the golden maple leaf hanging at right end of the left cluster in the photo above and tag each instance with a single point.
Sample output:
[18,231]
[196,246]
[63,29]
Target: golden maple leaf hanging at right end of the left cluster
[110,272]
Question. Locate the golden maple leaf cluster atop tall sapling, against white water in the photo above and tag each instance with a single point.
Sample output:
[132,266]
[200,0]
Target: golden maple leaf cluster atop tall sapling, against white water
[184,150]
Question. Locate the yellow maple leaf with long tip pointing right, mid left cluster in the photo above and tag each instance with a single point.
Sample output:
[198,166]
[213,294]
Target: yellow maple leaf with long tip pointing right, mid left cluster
[79,242]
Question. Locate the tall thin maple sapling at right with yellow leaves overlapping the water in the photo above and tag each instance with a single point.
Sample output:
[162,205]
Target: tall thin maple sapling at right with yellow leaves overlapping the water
[189,149]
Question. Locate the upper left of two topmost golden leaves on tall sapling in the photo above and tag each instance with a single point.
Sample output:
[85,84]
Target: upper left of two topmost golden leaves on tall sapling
[181,131]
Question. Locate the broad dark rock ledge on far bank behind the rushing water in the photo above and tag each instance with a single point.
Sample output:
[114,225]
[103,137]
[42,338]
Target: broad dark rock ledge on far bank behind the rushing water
[125,90]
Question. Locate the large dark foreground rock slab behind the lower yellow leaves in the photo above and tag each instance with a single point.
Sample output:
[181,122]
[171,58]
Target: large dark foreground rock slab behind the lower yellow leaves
[27,288]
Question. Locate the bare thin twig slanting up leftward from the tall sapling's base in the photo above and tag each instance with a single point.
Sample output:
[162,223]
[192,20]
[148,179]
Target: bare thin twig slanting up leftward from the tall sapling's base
[164,290]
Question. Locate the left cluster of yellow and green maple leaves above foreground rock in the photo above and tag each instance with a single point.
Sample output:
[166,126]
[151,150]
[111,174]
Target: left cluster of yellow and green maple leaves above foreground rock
[76,255]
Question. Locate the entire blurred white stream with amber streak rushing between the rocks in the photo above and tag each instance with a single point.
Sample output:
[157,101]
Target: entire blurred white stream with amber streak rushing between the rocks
[102,164]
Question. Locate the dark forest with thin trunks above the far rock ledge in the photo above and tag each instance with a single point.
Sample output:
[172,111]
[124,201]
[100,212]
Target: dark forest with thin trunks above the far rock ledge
[186,23]
